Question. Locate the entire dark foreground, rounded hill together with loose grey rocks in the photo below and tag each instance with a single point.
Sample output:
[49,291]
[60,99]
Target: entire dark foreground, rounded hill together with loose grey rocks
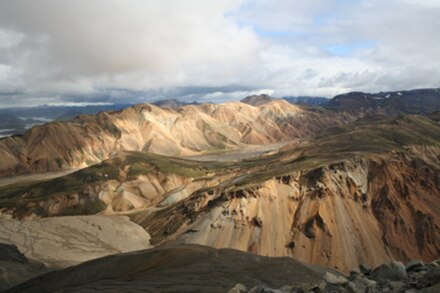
[195,268]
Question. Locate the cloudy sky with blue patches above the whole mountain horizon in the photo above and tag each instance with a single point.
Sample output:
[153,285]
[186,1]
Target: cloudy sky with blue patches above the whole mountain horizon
[132,51]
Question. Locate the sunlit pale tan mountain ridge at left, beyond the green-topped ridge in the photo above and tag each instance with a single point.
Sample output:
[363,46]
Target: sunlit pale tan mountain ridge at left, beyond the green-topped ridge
[89,139]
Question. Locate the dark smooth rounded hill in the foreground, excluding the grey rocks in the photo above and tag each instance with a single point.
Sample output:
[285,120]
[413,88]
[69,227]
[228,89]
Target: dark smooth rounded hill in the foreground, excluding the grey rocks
[189,268]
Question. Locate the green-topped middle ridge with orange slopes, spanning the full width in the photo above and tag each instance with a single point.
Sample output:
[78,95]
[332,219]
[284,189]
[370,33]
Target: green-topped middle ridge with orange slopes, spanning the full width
[365,192]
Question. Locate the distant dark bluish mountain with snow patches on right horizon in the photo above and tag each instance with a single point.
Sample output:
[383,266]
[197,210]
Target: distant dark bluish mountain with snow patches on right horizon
[421,101]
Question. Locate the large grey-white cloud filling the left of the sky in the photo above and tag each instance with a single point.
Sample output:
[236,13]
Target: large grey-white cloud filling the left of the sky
[86,46]
